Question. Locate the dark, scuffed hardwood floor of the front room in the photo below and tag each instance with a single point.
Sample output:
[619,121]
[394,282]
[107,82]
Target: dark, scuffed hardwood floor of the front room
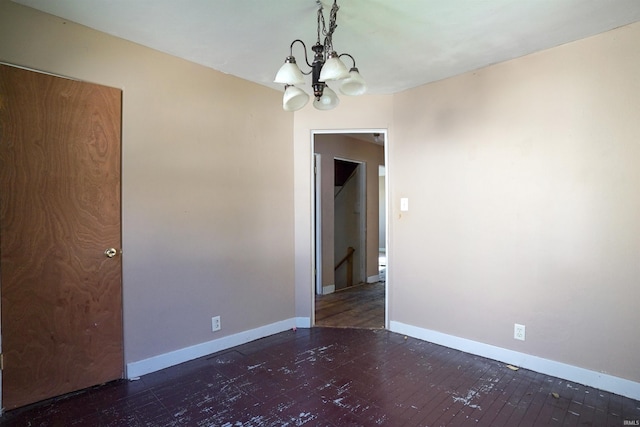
[336,377]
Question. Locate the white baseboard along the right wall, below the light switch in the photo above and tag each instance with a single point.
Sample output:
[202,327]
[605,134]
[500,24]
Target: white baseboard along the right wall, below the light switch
[575,374]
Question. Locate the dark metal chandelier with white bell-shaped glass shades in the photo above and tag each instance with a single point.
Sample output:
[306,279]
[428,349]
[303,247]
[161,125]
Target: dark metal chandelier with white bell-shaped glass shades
[326,67]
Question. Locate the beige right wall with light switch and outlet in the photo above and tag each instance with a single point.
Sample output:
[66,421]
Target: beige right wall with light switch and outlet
[523,180]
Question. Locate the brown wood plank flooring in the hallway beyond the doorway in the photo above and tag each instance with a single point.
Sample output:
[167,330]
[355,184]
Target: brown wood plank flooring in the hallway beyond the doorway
[360,306]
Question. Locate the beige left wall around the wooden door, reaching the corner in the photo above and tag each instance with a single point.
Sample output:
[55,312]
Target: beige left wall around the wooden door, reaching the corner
[207,184]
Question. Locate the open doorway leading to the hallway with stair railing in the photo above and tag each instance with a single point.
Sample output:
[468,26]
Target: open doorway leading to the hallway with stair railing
[348,288]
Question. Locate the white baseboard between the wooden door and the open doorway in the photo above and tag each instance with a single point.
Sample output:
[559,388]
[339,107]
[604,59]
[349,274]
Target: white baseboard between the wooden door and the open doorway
[162,361]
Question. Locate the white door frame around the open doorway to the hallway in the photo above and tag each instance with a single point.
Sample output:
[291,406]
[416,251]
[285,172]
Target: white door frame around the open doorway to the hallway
[316,246]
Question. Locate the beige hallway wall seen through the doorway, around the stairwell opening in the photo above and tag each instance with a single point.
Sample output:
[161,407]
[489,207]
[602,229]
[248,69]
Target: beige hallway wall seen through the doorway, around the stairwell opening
[372,155]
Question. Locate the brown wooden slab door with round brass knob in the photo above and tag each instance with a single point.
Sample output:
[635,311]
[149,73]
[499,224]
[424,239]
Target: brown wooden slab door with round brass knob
[59,211]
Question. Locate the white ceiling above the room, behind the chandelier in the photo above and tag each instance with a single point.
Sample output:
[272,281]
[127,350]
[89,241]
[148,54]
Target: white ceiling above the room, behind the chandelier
[398,44]
